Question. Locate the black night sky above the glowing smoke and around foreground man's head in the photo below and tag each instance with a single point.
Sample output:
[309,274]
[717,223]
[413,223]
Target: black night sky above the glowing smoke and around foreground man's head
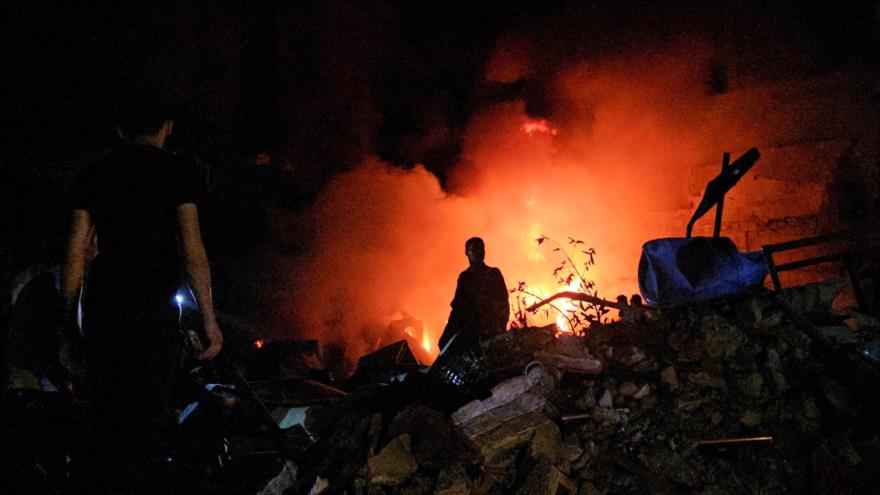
[318,86]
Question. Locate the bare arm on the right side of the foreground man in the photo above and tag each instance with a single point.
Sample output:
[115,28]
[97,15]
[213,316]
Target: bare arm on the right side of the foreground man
[198,273]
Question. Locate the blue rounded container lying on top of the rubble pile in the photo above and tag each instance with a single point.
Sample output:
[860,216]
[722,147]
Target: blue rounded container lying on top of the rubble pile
[675,271]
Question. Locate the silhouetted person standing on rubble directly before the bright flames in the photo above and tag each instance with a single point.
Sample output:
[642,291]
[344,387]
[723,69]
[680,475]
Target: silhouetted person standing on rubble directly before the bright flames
[479,308]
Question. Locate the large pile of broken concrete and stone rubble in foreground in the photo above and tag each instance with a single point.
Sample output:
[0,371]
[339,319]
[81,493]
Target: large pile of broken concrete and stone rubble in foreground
[769,393]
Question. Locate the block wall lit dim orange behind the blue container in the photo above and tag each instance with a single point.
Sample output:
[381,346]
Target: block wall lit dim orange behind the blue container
[819,170]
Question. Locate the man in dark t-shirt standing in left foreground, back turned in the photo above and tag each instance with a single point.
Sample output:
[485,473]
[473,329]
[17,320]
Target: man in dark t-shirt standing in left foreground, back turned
[142,202]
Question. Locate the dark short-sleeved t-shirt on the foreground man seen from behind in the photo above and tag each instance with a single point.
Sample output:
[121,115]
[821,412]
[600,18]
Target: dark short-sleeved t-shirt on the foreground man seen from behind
[132,195]
